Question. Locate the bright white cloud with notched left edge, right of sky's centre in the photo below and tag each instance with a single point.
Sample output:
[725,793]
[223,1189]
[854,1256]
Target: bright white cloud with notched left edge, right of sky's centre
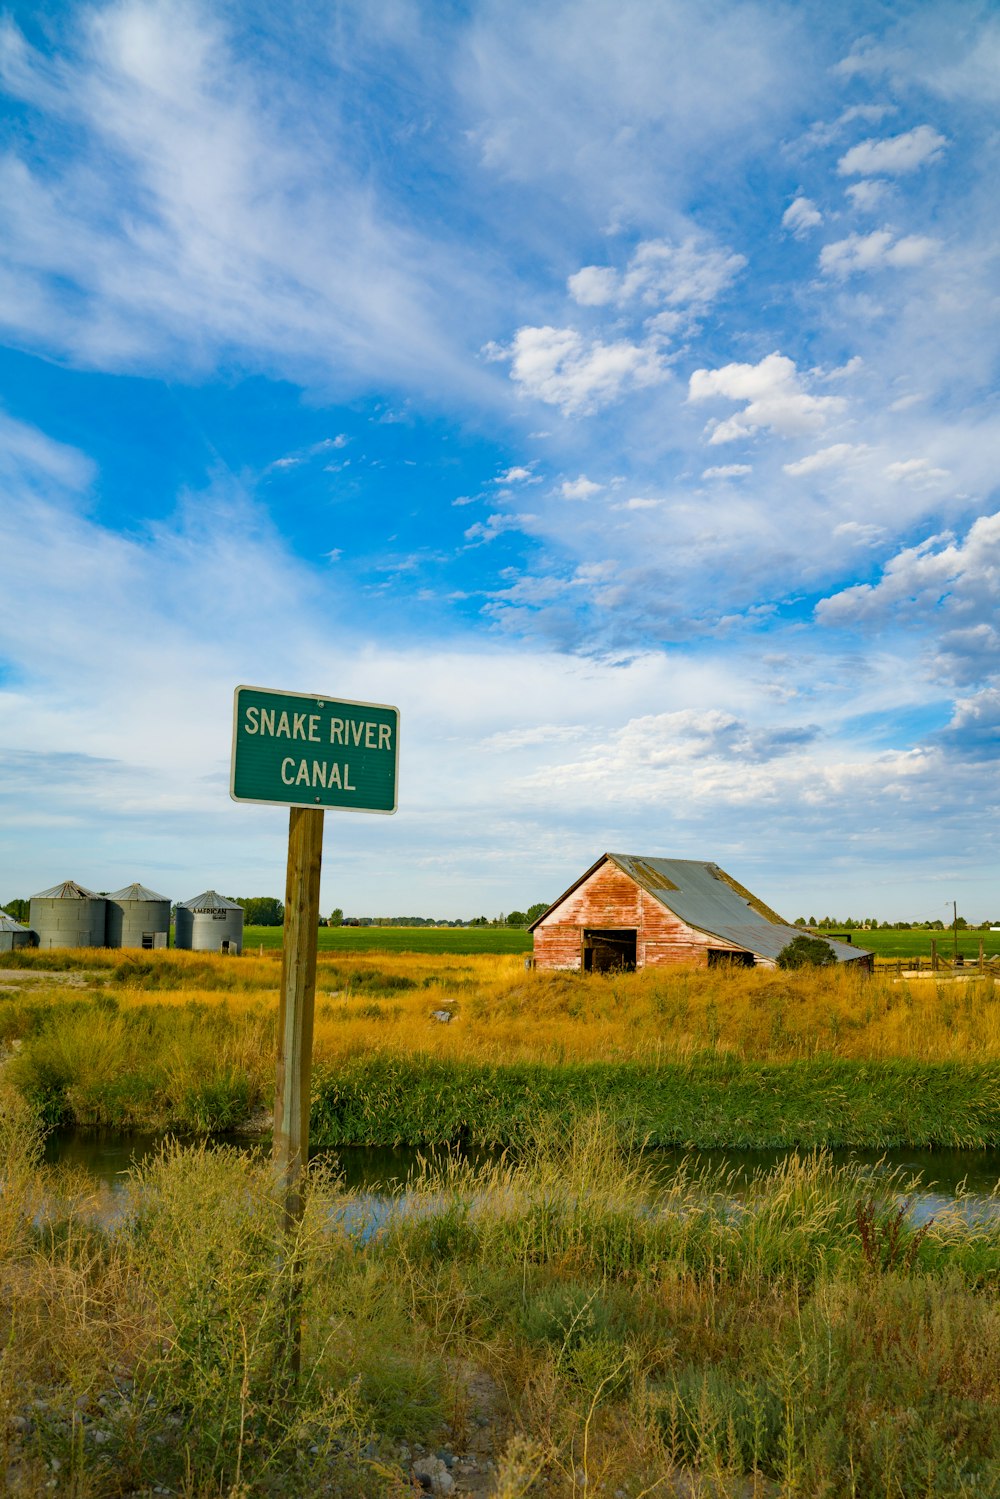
[776,399]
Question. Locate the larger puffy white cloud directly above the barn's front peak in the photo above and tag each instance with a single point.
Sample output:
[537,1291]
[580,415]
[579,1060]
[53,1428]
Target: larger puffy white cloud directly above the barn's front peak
[561,368]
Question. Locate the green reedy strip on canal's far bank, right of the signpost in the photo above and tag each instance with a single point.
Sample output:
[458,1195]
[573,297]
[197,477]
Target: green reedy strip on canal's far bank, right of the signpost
[708,1101]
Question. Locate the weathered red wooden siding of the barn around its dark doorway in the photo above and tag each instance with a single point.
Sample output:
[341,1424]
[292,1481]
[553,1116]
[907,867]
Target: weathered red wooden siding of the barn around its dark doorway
[612,899]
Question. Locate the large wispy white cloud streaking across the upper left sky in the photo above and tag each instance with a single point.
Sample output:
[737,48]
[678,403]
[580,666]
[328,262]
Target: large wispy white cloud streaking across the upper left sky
[151,229]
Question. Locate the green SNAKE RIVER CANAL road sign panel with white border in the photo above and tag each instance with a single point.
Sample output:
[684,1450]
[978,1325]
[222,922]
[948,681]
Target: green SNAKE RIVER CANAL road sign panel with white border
[290,750]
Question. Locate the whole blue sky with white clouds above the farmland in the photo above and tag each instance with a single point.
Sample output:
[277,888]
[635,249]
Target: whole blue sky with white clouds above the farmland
[609,386]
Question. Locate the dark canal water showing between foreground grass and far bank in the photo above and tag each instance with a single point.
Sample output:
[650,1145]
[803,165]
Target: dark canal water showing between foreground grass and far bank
[382,1171]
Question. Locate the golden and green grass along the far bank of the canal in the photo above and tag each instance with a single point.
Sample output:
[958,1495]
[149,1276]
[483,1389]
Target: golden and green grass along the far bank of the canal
[187,1043]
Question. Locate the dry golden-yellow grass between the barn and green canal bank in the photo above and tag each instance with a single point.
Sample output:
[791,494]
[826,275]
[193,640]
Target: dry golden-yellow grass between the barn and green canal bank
[385,1004]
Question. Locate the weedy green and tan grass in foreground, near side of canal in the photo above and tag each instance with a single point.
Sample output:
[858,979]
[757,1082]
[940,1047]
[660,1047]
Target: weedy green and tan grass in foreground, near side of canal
[596,1332]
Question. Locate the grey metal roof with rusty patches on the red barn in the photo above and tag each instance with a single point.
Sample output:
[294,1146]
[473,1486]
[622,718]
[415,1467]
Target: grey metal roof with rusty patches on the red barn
[711,902]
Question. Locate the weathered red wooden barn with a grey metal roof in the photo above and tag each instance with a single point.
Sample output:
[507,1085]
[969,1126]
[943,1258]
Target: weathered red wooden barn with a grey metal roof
[636,912]
